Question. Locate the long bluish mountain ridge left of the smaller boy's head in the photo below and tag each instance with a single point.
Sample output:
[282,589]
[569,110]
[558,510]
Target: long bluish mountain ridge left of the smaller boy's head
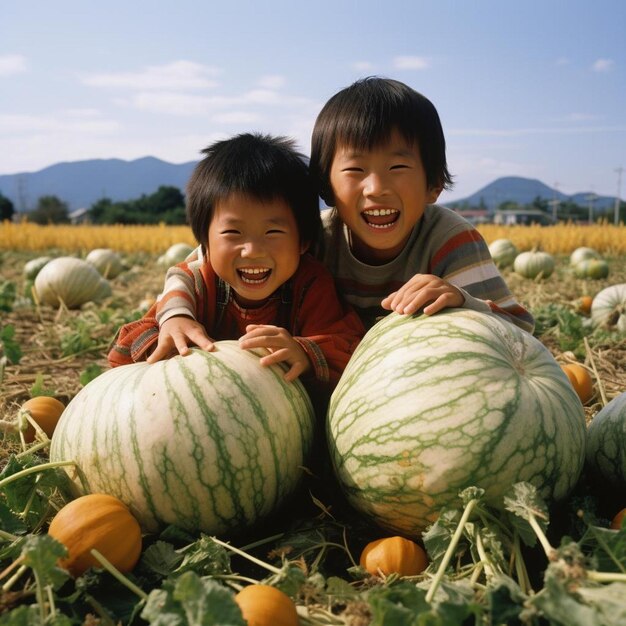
[82,183]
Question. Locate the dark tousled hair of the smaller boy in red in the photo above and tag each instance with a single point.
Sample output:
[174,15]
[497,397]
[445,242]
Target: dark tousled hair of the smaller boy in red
[264,167]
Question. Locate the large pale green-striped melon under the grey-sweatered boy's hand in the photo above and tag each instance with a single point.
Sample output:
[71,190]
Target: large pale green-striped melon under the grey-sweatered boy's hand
[430,405]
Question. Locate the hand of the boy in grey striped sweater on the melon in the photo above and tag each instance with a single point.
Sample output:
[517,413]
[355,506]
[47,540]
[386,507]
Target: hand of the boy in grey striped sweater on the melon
[423,290]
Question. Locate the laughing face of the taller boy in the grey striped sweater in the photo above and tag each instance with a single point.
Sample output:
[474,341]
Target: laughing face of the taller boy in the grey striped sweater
[380,195]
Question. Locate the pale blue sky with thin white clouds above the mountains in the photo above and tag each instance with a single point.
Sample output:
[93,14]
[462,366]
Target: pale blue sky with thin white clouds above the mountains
[534,88]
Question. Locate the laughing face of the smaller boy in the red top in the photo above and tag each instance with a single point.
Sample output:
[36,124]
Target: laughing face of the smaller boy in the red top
[254,246]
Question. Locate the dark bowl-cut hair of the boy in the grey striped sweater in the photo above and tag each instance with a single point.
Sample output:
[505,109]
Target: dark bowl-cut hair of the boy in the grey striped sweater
[364,115]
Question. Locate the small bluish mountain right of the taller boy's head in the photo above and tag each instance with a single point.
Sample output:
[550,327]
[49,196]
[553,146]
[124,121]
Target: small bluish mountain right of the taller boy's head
[524,191]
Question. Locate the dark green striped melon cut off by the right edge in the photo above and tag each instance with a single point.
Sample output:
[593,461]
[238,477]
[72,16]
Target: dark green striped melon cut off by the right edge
[606,443]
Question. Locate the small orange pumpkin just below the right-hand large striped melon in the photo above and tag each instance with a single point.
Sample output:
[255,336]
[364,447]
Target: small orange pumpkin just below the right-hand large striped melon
[393,555]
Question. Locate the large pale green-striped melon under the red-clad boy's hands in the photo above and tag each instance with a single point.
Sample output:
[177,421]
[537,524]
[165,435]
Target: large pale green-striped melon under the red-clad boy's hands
[212,441]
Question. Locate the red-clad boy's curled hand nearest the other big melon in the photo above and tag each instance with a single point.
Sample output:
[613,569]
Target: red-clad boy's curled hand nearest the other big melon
[282,346]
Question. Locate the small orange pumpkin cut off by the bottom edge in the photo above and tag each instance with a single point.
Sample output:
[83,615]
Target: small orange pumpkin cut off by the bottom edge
[264,605]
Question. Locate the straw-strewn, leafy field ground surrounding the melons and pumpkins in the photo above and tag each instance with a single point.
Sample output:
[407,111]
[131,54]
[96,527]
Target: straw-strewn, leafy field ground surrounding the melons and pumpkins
[528,565]
